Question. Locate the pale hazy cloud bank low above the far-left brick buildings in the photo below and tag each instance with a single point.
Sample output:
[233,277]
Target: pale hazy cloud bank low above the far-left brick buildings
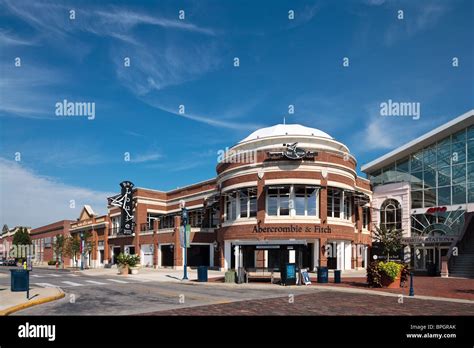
[33,200]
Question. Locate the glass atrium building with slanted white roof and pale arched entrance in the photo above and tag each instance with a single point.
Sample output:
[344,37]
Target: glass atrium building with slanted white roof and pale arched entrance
[426,188]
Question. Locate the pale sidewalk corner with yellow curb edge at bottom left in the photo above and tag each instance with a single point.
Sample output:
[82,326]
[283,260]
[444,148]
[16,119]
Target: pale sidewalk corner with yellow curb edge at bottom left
[11,302]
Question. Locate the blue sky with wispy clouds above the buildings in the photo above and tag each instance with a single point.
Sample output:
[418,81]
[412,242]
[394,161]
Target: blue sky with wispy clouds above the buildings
[190,62]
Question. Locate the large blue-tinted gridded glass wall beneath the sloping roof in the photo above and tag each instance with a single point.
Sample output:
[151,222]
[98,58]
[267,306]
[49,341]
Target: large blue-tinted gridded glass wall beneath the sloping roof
[440,174]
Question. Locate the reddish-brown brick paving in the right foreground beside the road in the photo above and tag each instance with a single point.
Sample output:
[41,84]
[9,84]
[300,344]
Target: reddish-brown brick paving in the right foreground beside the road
[328,303]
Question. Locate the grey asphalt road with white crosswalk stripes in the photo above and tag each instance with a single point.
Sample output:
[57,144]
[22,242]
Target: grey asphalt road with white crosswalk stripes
[118,295]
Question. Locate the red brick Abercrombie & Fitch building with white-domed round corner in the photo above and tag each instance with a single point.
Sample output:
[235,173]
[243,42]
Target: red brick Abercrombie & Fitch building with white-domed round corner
[284,193]
